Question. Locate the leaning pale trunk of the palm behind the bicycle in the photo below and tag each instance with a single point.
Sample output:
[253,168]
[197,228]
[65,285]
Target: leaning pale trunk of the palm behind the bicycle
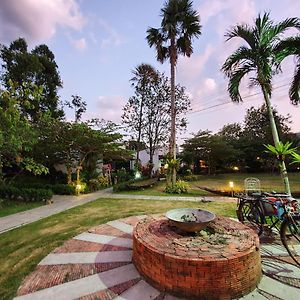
[276,140]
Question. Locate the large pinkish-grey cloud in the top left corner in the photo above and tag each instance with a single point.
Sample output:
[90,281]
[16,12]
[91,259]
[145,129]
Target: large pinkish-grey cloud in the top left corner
[38,20]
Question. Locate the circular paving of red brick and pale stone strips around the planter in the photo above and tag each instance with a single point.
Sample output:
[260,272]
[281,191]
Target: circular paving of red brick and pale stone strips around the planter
[98,265]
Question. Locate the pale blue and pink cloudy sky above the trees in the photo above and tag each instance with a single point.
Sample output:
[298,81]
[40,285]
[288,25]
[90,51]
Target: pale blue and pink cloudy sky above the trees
[97,43]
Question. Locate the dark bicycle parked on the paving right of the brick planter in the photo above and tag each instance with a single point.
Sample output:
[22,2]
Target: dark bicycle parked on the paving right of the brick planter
[267,211]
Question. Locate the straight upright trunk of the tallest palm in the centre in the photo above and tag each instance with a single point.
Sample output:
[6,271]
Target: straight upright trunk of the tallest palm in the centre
[173,112]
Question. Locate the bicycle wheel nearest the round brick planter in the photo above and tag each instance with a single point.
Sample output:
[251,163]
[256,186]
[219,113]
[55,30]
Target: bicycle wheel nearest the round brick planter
[251,215]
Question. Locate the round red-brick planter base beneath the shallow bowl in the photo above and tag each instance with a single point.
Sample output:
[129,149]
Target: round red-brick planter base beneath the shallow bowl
[223,265]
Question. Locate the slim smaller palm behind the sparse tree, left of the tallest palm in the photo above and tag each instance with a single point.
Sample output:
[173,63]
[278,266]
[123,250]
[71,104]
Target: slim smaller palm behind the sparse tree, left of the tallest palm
[144,75]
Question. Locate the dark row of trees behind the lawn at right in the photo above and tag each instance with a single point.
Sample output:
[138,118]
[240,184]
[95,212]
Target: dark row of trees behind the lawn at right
[238,147]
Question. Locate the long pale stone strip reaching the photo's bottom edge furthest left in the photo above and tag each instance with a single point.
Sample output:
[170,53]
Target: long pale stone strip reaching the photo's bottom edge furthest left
[85,286]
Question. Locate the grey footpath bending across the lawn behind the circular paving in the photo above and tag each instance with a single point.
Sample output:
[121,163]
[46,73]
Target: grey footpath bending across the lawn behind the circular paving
[62,203]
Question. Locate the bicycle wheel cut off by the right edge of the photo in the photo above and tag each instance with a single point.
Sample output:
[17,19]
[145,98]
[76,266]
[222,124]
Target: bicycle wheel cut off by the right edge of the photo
[290,237]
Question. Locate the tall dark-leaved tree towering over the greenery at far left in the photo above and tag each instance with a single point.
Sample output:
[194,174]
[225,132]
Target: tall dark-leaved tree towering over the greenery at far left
[38,67]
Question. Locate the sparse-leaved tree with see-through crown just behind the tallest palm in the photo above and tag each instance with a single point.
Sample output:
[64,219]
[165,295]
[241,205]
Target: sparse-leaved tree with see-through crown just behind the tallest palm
[153,122]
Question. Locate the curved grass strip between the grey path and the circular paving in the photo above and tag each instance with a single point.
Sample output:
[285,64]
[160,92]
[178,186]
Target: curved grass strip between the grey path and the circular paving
[23,248]
